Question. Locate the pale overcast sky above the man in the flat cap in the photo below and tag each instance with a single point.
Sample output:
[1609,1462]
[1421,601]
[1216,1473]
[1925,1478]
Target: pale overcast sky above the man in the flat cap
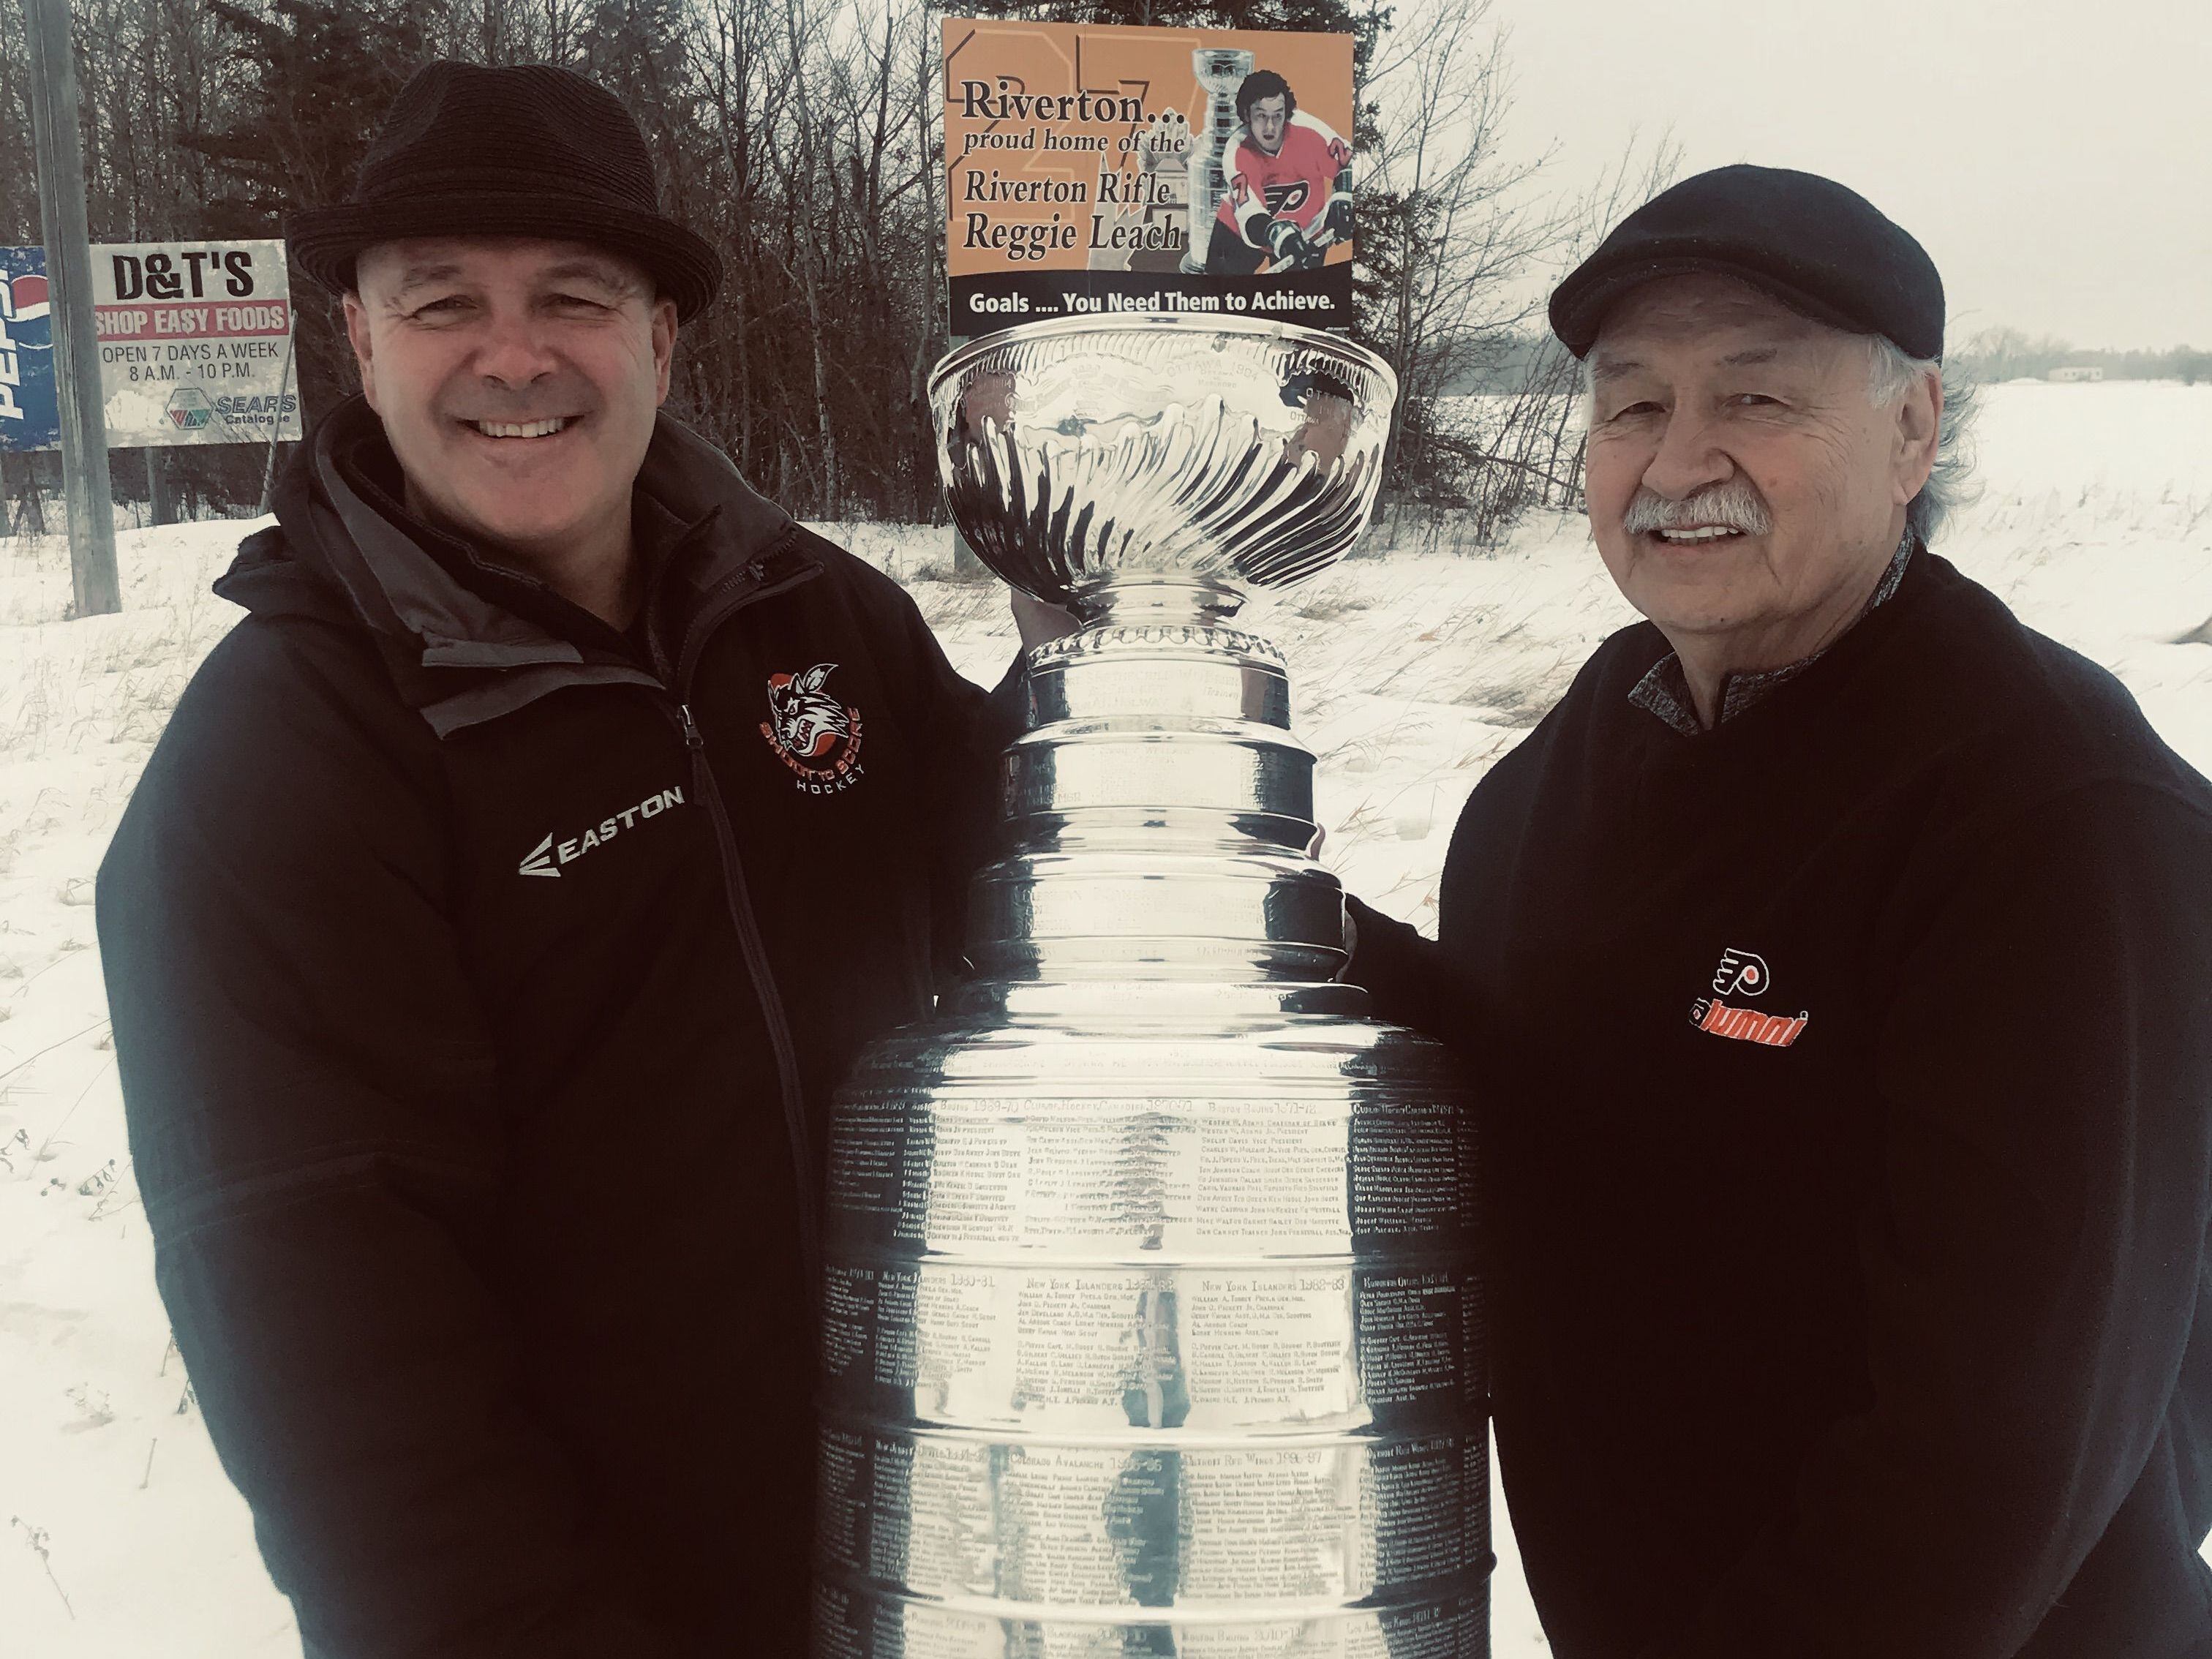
[2052,156]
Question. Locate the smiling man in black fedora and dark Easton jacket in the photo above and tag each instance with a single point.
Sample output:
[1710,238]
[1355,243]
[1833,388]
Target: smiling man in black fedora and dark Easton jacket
[494,919]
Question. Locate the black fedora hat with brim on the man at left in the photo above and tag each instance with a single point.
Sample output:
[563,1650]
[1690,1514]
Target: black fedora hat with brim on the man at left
[530,152]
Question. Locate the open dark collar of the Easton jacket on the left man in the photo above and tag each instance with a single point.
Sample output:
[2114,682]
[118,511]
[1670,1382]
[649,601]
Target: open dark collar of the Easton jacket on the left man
[468,638]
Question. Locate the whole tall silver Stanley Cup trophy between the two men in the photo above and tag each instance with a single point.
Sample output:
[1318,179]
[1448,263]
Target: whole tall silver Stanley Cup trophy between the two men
[1149,1322]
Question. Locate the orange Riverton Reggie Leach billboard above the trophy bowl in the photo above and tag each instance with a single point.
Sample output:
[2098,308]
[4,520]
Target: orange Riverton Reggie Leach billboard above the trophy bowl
[1105,169]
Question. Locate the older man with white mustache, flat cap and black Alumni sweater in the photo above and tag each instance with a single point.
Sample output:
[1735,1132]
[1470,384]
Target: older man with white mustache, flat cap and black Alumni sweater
[1837,968]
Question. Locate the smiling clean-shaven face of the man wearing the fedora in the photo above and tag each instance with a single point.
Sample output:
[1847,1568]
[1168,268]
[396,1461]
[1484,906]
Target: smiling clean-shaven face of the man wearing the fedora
[517,382]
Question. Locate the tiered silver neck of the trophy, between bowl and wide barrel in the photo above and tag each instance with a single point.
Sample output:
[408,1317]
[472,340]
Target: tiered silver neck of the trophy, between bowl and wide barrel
[1158,811]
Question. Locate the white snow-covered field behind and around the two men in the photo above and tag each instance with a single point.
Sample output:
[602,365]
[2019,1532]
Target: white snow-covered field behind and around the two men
[1412,676]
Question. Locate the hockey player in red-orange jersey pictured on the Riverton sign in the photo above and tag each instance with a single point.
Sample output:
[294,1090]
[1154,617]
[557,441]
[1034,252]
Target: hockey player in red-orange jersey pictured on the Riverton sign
[1288,185]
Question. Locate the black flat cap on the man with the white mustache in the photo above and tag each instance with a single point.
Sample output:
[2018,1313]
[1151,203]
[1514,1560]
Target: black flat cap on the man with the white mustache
[1819,249]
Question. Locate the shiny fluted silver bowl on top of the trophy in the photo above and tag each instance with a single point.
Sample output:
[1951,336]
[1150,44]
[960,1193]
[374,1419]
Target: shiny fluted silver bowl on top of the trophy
[1218,452]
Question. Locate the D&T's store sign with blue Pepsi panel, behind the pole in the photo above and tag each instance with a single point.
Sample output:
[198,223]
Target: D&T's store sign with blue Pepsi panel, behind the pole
[196,346]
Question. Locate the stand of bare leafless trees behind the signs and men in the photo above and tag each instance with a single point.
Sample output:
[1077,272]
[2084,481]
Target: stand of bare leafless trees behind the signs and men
[804,138]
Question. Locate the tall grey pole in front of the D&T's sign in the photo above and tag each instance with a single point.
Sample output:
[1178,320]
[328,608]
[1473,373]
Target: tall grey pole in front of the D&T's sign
[70,273]
